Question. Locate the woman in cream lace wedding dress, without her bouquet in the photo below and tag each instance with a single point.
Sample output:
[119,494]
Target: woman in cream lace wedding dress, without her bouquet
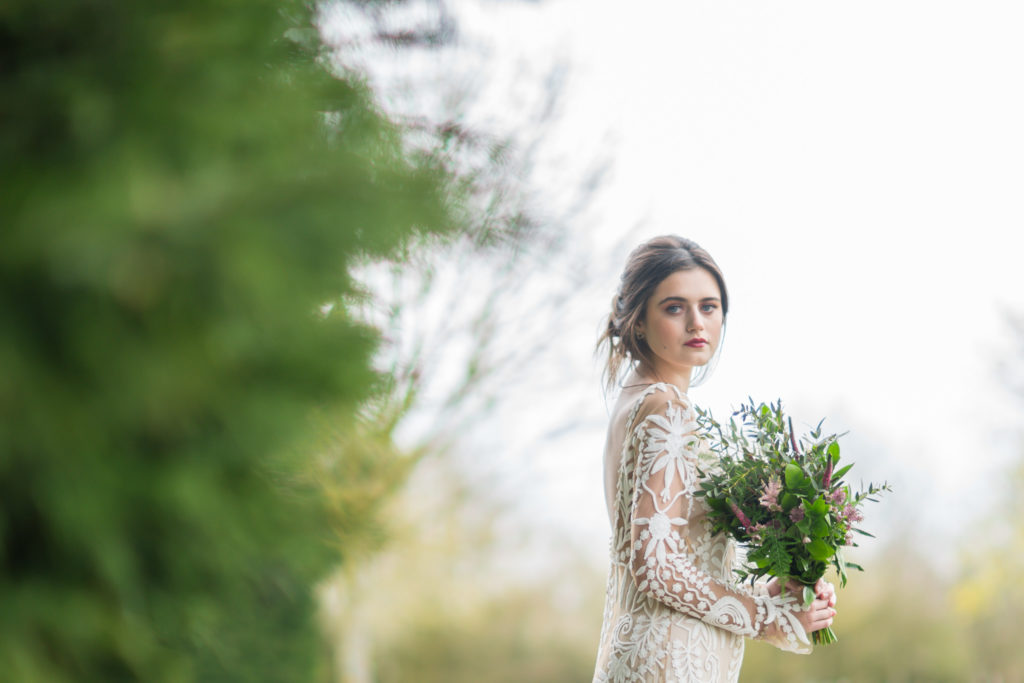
[674,611]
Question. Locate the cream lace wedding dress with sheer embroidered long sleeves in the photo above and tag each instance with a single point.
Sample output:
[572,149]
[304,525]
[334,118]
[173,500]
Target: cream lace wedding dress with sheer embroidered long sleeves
[673,610]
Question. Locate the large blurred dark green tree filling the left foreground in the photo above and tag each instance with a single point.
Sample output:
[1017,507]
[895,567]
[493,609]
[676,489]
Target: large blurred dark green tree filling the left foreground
[182,187]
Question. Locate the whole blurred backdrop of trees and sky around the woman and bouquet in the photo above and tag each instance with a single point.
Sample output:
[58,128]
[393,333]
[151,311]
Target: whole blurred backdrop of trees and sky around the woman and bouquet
[300,306]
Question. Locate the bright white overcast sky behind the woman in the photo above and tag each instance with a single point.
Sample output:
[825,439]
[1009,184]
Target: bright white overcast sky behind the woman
[857,169]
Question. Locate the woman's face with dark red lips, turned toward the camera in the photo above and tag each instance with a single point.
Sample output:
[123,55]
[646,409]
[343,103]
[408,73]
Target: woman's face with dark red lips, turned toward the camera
[684,322]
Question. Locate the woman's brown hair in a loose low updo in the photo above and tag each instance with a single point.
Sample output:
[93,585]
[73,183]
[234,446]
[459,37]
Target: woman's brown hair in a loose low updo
[647,267]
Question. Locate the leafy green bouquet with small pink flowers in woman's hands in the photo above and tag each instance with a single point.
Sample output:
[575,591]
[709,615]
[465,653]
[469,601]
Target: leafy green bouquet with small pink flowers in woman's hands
[782,497]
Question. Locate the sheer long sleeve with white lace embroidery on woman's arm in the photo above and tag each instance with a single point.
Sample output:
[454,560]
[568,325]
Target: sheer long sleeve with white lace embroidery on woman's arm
[666,559]
